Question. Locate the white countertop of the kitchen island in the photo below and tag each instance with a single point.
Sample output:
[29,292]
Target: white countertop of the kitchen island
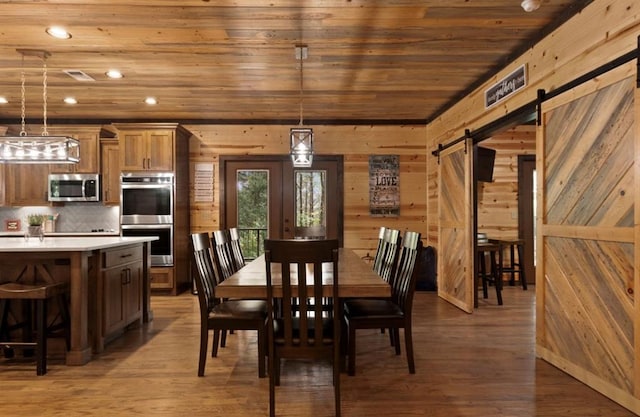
[62,244]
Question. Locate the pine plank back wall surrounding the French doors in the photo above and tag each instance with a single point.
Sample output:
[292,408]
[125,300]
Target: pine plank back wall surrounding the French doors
[360,229]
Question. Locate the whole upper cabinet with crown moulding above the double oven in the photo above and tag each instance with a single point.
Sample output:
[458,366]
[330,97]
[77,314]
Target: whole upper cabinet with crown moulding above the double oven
[149,147]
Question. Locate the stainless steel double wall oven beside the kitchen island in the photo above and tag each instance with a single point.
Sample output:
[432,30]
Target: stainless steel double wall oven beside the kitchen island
[146,209]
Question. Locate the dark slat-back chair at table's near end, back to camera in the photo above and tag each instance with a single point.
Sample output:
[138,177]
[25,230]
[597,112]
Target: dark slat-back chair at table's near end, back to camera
[302,331]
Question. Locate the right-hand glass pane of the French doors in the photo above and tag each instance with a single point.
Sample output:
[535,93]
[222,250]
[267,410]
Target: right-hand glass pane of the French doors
[310,204]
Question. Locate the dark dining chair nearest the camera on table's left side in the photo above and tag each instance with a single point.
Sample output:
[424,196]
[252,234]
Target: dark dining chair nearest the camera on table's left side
[220,316]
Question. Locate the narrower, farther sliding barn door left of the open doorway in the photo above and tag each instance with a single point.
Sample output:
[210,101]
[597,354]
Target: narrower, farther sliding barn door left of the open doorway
[455,264]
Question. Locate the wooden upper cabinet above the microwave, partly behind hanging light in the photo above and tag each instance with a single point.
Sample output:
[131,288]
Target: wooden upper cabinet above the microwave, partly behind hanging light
[89,138]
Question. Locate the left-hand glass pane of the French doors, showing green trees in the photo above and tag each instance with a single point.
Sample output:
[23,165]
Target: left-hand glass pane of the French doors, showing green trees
[253,210]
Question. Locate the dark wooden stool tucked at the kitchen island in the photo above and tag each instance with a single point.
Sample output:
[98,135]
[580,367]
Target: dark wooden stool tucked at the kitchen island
[38,296]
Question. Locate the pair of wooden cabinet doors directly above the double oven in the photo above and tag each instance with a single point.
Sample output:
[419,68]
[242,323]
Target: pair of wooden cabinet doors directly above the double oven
[147,150]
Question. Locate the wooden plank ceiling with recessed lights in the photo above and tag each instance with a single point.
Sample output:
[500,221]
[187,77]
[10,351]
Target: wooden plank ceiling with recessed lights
[214,61]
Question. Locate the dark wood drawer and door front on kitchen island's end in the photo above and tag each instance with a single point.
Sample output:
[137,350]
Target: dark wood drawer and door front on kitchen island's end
[122,293]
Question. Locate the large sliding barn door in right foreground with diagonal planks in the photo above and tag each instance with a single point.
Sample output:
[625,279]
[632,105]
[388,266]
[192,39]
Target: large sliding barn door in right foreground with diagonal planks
[587,316]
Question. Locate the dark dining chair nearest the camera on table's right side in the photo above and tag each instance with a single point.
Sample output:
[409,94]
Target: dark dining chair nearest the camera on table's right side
[393,313]
